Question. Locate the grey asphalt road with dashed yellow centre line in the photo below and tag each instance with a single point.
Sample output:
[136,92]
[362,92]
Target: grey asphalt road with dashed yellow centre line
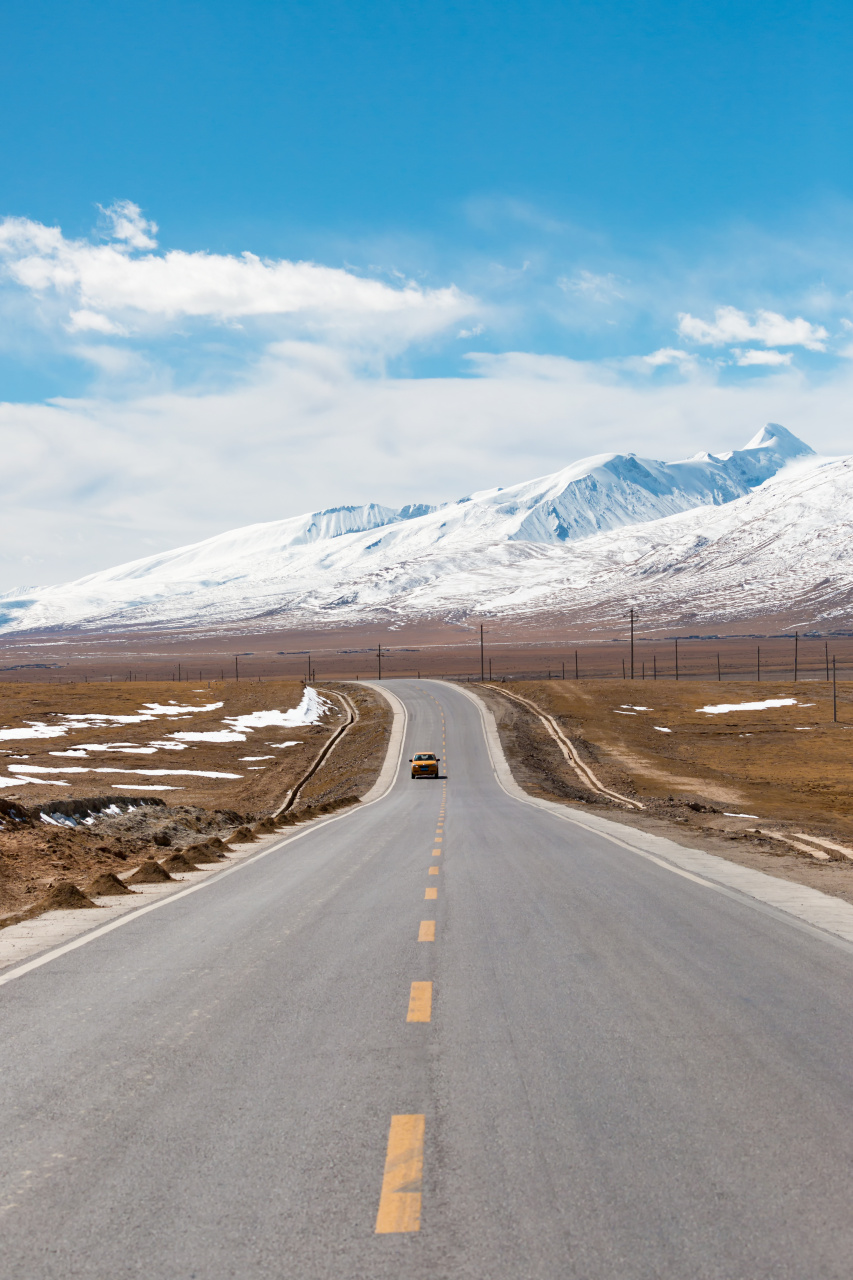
[623,1075]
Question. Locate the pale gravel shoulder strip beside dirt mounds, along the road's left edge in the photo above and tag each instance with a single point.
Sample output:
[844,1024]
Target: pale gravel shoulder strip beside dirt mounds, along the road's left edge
[54,934]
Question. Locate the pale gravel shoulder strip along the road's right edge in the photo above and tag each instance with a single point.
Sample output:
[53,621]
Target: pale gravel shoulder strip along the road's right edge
[801,906]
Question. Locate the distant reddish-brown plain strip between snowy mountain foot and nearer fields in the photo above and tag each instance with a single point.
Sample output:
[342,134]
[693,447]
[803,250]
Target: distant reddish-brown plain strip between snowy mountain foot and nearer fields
[444,648]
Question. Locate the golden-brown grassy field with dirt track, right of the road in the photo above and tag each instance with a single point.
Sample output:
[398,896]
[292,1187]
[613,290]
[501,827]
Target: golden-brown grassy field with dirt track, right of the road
[749,784]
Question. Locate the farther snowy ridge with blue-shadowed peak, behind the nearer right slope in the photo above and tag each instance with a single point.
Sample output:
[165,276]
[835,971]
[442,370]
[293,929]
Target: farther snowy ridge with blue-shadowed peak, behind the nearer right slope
[350,561]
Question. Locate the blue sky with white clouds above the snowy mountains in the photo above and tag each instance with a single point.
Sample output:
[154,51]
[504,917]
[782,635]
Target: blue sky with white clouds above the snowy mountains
[536,231]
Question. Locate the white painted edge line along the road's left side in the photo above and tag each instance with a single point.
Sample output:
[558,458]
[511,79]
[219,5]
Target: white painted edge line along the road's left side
[396,739]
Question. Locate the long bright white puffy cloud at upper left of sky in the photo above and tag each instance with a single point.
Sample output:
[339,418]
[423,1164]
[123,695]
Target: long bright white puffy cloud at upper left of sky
[110,287]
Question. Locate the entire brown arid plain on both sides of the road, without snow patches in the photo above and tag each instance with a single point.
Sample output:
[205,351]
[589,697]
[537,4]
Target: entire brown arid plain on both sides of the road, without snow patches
[788,767]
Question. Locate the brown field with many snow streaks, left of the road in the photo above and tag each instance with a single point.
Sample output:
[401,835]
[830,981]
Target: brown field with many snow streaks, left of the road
[53,835]
